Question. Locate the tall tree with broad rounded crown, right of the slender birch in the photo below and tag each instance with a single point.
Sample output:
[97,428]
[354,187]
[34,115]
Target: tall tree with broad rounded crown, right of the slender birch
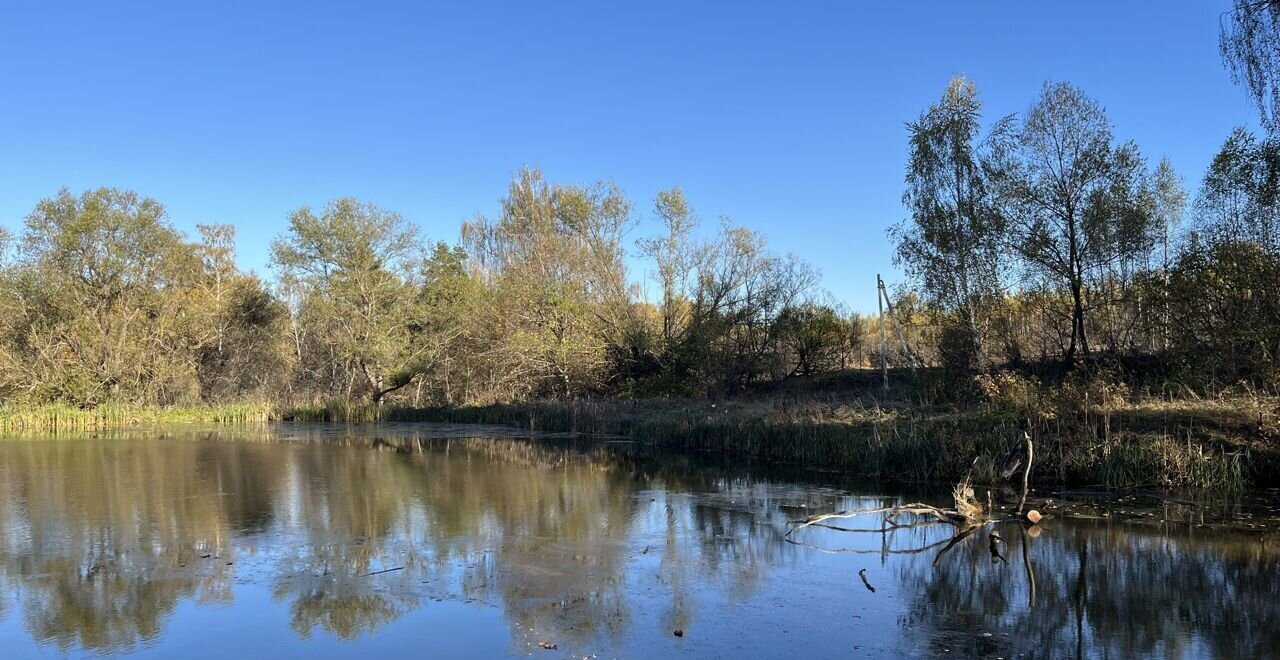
[1078,207]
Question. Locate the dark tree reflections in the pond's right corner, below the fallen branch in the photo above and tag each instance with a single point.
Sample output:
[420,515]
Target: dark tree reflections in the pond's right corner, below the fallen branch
[1098,589]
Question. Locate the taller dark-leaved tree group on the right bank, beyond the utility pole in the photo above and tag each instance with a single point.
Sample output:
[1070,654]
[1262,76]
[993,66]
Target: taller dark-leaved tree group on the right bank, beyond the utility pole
[1044,237]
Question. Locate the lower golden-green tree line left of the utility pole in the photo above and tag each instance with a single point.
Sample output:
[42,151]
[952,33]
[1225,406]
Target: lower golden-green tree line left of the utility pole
[102,300]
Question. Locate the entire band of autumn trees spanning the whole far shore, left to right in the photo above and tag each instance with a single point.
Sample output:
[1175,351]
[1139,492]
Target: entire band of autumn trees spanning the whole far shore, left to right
[1037,239]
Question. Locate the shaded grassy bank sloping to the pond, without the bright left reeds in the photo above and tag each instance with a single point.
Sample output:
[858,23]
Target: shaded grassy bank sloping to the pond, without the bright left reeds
[1205,446]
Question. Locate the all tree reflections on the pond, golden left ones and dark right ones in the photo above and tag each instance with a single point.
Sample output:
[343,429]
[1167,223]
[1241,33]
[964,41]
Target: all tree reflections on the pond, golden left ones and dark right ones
[102,540]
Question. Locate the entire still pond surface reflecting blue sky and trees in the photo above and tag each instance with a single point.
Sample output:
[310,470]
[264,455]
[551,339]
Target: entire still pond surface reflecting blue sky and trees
[445,542]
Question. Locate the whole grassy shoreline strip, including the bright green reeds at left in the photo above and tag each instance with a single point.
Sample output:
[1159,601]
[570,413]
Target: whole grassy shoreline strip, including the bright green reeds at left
[1219,444]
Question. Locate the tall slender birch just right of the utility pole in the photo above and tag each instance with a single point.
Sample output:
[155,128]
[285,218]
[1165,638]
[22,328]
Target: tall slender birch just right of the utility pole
[952,246]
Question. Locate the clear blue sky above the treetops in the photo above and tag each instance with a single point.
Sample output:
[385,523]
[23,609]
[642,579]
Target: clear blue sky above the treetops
[787,117]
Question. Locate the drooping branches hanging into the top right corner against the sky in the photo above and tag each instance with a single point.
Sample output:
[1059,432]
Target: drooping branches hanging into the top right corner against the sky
[1250,42]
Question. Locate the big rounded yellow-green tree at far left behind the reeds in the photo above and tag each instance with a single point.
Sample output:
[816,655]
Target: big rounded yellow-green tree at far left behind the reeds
[103,301]
